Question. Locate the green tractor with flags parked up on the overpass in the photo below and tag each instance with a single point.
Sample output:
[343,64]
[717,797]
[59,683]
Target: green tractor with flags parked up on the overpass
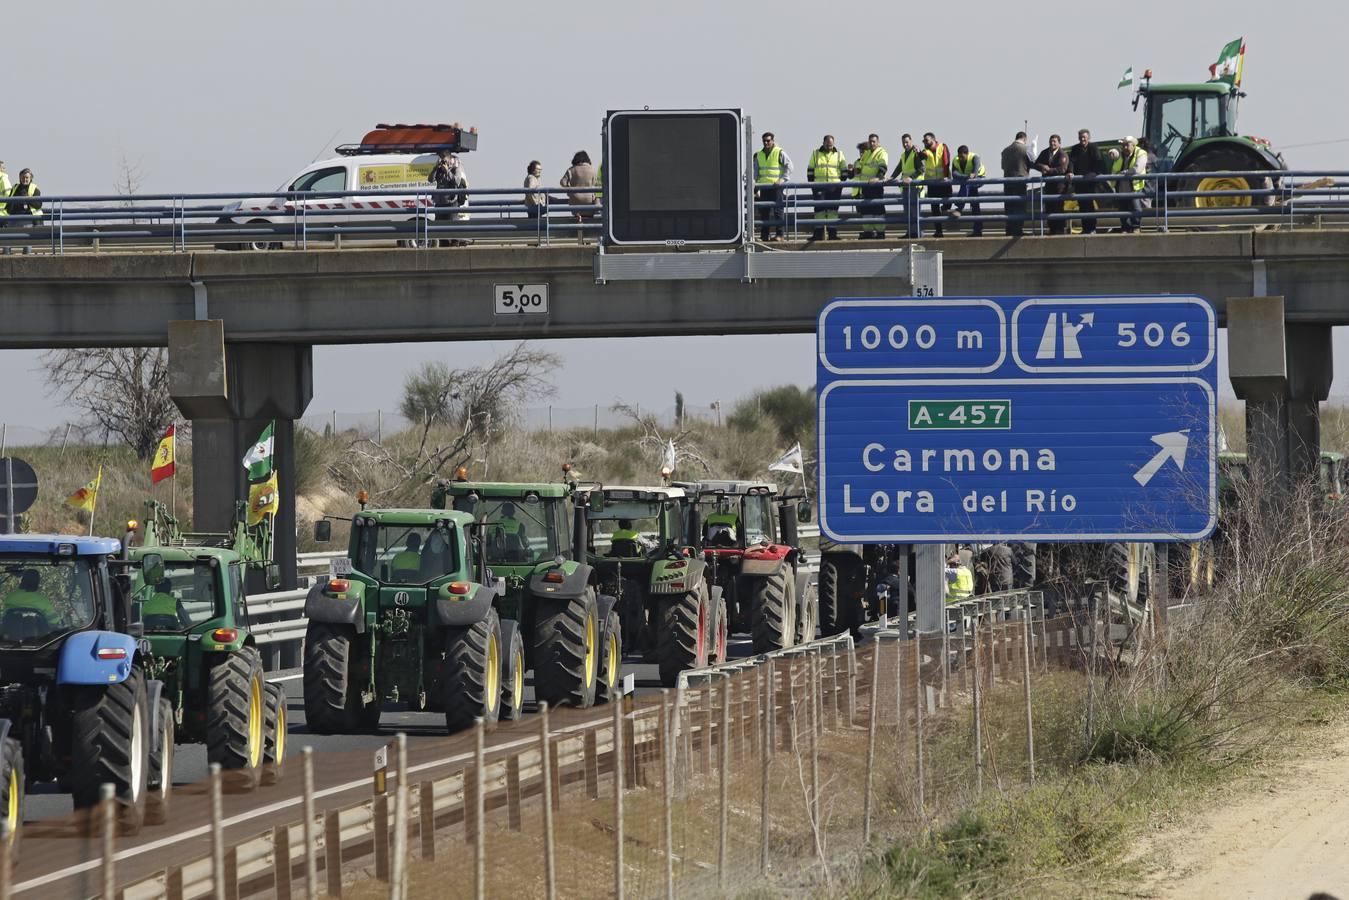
[1193,129]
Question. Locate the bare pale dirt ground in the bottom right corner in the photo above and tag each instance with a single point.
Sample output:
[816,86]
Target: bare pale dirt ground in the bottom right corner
[1286,835]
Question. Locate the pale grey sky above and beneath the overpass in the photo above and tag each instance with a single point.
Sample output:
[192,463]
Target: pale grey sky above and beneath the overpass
[214,98]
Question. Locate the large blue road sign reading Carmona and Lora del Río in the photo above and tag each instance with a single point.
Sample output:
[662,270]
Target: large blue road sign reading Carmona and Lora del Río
[1058,419]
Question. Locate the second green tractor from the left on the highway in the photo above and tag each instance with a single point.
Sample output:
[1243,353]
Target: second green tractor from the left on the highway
[409,617]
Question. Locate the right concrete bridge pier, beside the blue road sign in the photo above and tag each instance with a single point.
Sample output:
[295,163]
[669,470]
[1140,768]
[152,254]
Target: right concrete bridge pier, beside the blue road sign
[1284,372]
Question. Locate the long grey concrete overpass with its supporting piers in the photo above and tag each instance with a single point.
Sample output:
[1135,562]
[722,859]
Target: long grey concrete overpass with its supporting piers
[245,325]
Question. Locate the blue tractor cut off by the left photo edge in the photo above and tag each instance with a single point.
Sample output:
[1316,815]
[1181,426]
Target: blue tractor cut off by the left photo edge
[76,706]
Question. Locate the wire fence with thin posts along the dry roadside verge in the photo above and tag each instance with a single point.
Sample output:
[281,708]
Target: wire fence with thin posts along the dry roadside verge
[778,772]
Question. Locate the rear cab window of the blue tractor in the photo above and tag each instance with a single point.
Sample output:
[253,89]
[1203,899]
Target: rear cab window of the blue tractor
[44,597]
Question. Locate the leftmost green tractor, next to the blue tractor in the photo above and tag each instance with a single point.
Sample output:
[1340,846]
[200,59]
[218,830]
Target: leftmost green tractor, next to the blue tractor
[196,623]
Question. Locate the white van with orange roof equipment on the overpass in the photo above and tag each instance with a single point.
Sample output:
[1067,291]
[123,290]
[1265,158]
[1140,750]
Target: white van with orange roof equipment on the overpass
[391,159]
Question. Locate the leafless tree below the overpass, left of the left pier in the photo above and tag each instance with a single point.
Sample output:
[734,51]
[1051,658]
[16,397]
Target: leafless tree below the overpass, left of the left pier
[123,392]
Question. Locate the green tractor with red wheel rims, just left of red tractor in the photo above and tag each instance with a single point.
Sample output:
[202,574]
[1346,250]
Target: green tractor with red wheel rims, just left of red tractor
[645,557]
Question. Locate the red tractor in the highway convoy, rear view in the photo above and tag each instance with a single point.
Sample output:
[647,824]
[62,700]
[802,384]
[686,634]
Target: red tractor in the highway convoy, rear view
[749,540]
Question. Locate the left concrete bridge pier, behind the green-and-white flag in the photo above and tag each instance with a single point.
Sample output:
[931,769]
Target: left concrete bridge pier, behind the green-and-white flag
[231,393]
